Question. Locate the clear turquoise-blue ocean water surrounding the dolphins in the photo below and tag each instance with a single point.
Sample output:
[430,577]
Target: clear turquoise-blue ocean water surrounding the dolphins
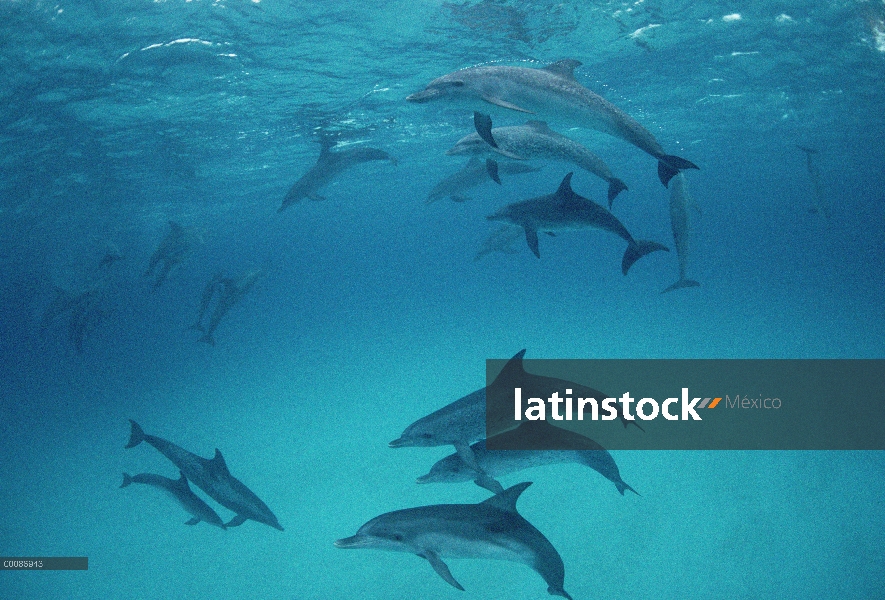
[118,117]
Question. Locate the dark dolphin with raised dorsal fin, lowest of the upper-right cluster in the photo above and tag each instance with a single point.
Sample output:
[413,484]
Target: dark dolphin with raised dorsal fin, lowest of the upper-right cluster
[564,210]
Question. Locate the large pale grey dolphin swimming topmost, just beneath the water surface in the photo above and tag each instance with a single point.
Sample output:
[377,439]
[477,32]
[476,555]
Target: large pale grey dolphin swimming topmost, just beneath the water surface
[552,93]
